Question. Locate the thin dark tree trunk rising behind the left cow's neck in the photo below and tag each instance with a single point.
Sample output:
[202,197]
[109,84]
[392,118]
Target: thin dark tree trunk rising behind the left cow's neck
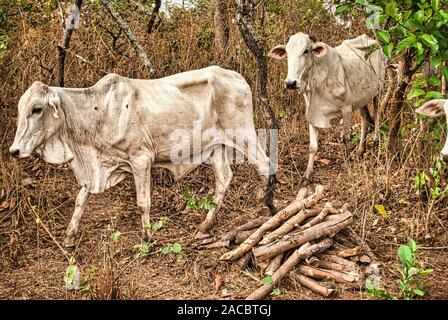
[70,25]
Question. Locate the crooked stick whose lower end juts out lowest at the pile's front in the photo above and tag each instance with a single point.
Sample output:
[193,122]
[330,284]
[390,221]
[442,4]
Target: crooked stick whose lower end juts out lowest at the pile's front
[305,251]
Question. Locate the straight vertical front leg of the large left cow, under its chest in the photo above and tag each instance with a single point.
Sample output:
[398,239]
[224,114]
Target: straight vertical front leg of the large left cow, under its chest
[143,189]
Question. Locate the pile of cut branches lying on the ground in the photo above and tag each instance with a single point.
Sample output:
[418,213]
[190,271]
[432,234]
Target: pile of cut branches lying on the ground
[299,237]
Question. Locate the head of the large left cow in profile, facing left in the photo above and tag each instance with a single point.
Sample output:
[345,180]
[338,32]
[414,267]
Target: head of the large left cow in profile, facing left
[39,119]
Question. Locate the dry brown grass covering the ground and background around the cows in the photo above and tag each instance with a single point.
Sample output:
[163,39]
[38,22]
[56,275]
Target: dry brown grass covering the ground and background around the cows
[31,264]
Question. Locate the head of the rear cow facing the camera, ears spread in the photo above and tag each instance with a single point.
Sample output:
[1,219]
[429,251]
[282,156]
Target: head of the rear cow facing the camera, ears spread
[302,50]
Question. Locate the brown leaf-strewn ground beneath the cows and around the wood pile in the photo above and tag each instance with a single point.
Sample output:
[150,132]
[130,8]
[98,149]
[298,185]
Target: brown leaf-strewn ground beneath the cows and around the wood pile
[39,265]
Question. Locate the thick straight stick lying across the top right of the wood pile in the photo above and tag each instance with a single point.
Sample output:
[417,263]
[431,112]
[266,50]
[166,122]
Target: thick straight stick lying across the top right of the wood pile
[329,228]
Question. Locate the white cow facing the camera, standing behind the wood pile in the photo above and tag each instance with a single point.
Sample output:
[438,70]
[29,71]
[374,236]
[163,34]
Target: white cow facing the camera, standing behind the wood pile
[334,81]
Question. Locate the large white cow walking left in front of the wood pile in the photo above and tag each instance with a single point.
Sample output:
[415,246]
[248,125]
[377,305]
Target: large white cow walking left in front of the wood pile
[121,126]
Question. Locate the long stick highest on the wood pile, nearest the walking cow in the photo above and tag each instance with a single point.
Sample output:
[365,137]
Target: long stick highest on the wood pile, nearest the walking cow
[275,221]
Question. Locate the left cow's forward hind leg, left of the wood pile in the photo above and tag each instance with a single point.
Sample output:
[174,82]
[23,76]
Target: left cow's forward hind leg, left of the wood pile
[223,176]
